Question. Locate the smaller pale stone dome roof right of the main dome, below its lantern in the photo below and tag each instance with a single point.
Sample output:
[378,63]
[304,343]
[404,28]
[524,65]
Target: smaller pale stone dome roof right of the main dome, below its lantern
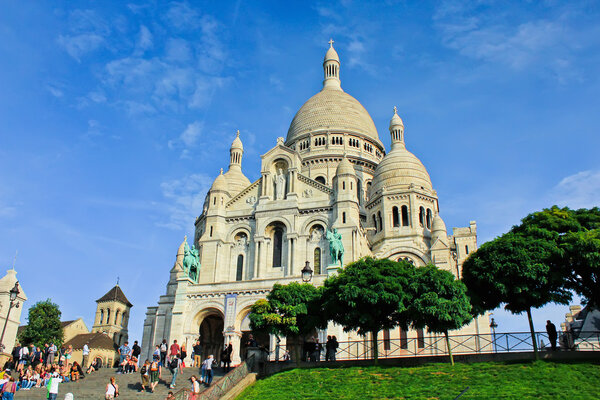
[400,169]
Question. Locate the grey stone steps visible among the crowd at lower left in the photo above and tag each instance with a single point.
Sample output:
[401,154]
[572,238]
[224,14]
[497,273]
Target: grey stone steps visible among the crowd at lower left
[94,386]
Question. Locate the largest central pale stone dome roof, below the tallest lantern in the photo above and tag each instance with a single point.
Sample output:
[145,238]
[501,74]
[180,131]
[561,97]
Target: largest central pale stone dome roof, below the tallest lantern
[335,111]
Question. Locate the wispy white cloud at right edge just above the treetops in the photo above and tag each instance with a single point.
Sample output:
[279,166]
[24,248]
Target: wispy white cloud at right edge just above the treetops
[580,190]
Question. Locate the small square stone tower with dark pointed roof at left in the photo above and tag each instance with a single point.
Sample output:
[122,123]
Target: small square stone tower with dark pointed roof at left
[112,315]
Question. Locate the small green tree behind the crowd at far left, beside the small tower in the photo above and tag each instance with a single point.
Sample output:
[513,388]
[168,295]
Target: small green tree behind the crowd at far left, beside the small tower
[43,325]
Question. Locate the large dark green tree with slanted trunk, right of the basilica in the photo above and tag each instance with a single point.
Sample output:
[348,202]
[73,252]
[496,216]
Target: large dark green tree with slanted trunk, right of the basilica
[516,270]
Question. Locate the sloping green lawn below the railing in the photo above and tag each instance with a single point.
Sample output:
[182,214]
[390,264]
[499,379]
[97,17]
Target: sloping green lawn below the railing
[535,380]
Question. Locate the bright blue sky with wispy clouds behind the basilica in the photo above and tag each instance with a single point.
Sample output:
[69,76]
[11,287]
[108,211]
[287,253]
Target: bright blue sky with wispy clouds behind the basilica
[115,118]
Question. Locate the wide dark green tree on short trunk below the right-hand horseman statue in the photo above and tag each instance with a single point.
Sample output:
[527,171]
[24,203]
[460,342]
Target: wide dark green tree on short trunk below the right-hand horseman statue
[369,295]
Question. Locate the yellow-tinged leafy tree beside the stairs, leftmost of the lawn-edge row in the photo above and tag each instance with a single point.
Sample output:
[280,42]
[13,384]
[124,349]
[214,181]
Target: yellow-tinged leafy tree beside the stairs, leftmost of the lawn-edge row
[289,310]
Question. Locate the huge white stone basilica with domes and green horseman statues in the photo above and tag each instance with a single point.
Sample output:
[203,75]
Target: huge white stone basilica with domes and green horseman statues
[331,172]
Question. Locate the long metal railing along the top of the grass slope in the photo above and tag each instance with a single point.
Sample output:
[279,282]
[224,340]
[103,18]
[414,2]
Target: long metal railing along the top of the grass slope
[434,345]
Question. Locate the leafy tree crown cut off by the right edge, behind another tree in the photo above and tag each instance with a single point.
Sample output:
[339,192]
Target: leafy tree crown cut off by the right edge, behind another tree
[577,235]
